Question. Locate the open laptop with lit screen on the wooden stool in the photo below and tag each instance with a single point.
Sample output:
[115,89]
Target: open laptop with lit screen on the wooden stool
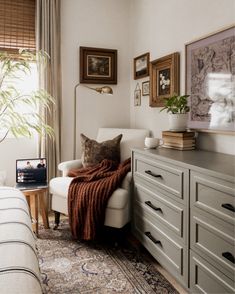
[31,173]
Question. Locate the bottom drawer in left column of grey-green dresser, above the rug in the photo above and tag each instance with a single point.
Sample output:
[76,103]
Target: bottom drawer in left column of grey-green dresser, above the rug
[168,252]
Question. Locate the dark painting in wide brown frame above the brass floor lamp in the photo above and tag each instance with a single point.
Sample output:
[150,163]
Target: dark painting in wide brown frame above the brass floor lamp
[98,65]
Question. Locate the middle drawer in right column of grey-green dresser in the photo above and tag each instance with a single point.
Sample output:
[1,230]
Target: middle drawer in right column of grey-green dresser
[215,240]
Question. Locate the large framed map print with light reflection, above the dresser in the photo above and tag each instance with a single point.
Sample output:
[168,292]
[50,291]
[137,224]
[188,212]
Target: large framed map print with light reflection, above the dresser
[210,81]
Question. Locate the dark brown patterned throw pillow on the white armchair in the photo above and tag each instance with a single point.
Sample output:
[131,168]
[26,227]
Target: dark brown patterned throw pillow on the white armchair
[94,152]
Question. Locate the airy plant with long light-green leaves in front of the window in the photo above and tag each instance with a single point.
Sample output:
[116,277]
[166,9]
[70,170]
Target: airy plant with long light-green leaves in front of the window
[19,112]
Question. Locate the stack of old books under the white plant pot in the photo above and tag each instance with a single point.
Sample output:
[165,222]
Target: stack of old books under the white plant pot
[179,140]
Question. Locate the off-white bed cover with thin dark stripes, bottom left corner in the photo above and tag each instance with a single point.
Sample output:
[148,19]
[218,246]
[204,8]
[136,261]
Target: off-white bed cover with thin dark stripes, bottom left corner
[19,268]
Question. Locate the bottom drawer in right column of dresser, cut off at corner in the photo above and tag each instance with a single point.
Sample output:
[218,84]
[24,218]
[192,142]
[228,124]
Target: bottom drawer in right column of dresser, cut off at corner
[204,278]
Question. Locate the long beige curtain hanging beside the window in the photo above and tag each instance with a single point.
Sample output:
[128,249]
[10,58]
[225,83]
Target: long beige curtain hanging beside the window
[48,40]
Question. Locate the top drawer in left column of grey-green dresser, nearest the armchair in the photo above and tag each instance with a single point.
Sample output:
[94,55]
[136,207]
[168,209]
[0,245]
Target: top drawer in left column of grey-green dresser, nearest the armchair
[161,174]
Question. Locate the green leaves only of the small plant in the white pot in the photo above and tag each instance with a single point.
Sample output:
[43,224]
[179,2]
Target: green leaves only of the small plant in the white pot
[176,104]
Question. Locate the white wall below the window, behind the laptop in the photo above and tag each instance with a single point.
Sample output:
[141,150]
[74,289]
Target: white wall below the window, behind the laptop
[12,149]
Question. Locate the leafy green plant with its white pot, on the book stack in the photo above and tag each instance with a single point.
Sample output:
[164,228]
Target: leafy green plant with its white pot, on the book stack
[177,108]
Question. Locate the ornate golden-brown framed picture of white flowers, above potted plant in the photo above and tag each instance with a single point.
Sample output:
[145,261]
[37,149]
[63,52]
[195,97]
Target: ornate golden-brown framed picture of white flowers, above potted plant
[164,79]
